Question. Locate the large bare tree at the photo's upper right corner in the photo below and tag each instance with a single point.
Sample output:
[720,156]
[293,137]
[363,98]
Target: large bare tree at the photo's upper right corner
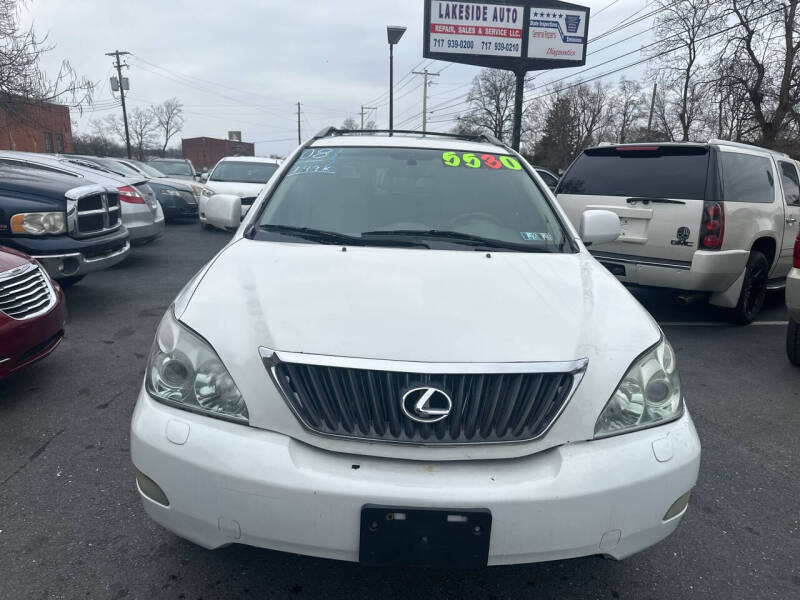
[763,60]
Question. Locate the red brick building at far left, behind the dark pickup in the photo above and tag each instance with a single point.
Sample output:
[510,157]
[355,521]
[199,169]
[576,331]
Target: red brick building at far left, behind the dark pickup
[42,127]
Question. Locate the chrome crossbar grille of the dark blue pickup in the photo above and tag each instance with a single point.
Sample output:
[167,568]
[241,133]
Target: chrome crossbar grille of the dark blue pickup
[93,210]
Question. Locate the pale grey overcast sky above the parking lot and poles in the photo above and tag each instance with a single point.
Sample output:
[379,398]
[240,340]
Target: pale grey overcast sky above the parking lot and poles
[244,64]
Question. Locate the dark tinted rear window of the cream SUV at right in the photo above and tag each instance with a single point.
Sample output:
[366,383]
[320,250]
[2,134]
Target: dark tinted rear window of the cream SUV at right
[644,172]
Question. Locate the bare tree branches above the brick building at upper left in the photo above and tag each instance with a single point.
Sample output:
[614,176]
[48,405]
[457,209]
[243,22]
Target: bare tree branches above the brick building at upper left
[22,82]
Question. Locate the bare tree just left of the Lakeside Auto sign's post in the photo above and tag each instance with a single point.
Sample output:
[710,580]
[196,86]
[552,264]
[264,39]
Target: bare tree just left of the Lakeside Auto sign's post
[491,104]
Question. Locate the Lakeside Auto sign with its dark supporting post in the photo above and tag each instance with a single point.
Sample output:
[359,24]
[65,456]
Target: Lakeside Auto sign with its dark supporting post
[513,35]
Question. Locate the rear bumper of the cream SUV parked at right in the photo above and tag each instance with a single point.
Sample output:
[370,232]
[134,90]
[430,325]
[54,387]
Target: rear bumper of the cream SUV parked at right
[709,271]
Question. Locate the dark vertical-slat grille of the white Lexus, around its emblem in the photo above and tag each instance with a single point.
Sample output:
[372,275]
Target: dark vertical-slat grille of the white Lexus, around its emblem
[368,403]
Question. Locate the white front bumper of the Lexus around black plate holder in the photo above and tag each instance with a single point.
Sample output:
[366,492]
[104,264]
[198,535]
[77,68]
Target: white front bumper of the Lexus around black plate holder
[229,483]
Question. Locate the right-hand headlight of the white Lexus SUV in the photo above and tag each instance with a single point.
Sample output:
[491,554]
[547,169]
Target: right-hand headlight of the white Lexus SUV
[649,394]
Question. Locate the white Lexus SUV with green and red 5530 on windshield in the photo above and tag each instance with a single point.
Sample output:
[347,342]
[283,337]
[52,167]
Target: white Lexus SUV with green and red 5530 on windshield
[404,376]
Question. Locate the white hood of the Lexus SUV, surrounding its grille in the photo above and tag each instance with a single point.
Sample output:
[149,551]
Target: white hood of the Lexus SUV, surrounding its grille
[416,305]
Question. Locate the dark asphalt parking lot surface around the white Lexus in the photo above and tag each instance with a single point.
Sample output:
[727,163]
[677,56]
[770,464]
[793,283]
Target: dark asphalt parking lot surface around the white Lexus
[71,524]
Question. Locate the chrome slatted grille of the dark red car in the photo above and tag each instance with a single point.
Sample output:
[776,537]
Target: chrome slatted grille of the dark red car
[25,292]
